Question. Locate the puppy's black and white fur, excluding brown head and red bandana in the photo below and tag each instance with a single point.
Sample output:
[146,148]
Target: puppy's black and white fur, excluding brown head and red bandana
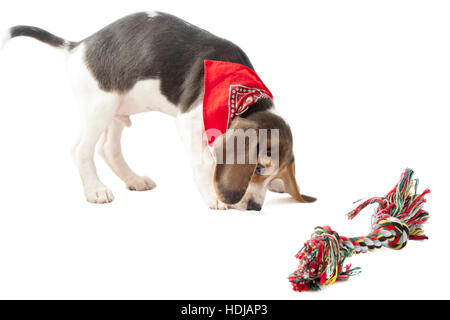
[142,62]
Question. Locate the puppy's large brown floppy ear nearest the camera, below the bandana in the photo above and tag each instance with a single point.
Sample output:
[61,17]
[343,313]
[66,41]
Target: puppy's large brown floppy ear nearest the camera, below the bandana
[235,165]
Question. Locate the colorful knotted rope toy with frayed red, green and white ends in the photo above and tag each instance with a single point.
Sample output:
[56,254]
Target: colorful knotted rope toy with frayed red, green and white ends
[398,218]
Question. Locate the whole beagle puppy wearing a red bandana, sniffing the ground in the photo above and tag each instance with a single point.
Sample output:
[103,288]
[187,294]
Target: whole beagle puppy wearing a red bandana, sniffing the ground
[157,62]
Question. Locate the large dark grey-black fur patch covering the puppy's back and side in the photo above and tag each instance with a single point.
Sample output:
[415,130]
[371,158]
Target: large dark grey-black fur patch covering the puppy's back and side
[139,47]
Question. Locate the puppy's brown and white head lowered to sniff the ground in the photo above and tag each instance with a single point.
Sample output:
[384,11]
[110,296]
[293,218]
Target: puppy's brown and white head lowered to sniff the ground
[255,152]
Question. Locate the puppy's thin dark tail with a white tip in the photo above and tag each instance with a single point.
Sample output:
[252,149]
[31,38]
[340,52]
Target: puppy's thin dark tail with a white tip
[38,34]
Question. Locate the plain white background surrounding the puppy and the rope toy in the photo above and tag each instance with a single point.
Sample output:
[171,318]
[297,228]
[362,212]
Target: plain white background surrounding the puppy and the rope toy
[365,87]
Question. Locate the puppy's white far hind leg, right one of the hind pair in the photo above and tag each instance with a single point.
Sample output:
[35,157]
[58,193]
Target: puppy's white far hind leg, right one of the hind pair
[111,151]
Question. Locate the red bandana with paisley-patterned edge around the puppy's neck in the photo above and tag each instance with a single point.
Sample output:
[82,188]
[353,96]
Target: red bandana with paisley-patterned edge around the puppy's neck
[230,89]
